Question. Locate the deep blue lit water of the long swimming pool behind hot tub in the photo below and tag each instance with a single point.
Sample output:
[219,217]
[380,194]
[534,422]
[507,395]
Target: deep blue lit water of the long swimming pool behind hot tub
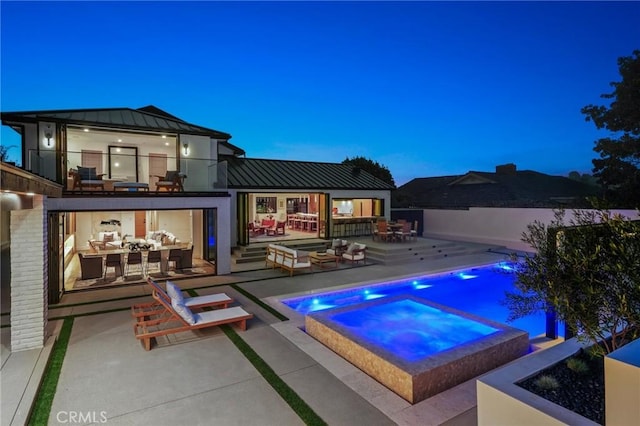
[478,291]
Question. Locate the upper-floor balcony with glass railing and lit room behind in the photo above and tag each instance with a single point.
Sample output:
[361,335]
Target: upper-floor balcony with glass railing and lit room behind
[129,173]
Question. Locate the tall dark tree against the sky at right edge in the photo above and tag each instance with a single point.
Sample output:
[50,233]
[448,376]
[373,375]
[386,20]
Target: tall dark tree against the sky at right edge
[618,165]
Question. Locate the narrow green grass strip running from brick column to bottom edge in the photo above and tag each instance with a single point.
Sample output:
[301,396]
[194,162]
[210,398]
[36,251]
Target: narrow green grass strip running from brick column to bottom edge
[47,390]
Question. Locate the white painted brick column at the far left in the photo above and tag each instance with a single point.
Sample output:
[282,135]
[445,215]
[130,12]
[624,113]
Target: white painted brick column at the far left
[28,277]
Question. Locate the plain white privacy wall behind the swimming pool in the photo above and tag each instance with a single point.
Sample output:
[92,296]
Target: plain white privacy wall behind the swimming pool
[503,226]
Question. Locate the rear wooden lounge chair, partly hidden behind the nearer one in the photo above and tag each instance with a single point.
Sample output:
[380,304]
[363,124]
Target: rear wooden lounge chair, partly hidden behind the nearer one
[144,311]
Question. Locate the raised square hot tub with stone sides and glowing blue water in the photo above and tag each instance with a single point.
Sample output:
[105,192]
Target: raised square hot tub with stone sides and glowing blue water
[414,347]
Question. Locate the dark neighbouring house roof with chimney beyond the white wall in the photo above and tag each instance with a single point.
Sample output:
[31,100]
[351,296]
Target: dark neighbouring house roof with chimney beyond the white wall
[520,189]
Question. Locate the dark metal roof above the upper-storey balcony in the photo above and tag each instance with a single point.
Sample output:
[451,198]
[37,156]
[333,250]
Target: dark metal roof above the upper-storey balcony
[148,118]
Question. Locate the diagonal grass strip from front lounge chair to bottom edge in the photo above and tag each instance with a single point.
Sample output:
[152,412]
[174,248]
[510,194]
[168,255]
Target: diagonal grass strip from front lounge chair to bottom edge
[296,403]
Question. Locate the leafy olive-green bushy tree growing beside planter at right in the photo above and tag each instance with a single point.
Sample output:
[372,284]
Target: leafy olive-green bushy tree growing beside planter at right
[588,271]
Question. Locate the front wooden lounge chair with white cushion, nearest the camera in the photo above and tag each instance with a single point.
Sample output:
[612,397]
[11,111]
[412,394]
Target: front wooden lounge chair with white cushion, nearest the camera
[178,318]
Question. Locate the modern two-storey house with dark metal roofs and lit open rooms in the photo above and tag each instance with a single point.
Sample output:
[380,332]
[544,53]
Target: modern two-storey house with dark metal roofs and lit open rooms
[143,176]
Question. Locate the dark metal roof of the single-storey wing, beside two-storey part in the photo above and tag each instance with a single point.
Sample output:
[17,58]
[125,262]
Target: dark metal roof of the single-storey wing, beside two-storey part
[251,173]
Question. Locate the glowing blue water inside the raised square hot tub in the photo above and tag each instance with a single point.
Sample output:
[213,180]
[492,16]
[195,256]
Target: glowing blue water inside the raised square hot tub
[411,330]
